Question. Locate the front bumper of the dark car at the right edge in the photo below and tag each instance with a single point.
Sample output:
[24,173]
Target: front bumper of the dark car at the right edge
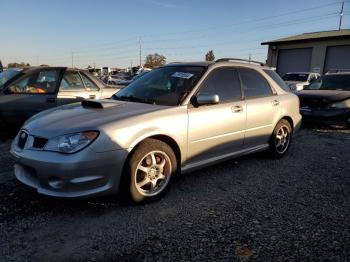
[326,116]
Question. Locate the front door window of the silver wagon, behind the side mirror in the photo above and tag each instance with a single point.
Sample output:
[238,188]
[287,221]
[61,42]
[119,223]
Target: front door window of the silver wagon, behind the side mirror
[223,82]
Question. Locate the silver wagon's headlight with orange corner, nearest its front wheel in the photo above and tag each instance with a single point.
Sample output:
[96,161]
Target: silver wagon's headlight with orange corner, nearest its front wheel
[71,143]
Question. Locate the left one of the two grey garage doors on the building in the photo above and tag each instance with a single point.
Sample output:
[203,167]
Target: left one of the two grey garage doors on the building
[294,60]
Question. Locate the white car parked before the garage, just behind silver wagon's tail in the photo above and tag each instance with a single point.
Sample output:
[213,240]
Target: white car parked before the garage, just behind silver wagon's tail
[297,80]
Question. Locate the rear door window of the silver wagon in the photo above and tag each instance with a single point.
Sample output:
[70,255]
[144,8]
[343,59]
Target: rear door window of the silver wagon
[254,84]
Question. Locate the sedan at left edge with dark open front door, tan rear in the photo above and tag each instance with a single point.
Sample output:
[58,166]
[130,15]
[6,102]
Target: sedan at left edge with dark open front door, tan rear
[29,91]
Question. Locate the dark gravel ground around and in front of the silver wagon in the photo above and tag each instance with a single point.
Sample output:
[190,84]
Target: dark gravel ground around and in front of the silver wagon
[249,209]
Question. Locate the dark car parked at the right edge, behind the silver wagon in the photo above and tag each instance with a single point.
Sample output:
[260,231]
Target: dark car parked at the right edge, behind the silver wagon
[327,100]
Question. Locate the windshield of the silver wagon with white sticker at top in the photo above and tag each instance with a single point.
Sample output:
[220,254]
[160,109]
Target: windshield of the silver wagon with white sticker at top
[163,86]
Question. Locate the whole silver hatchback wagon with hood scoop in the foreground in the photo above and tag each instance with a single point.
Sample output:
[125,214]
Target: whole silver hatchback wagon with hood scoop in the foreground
[175,119]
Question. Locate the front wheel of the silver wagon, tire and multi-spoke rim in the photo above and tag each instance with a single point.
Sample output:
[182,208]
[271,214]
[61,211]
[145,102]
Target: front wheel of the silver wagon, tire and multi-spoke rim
[151,169]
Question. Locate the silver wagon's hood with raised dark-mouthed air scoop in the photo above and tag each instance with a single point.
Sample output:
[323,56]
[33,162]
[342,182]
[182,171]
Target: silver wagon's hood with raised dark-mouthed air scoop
[76,117]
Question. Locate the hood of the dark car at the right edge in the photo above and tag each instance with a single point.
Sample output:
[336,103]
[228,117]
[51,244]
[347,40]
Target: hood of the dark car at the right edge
[329,95]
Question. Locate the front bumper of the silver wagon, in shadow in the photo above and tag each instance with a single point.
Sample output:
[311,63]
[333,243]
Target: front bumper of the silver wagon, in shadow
[82,174]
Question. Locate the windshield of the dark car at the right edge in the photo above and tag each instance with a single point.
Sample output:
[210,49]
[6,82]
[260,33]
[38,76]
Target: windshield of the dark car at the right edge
[331,82]
